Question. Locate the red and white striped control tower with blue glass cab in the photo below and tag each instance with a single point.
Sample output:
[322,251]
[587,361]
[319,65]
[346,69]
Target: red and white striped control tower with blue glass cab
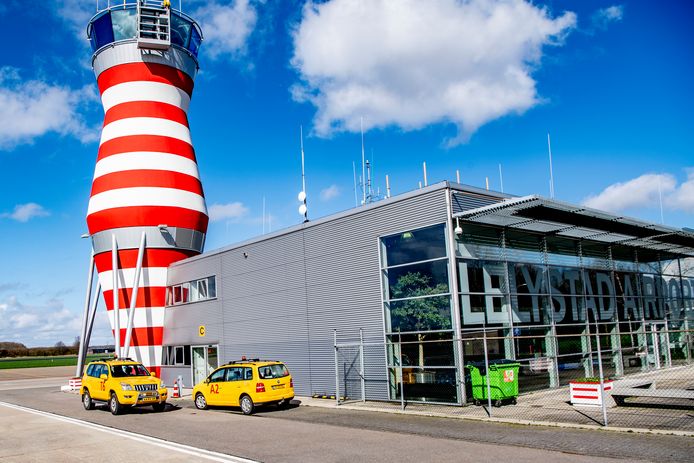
[147,208]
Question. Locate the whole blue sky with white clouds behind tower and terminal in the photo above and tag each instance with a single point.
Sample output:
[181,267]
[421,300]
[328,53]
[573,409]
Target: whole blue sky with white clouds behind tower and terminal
[460,85]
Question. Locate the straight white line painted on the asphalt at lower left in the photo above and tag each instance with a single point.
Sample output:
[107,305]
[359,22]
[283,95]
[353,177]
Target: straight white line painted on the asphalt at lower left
[182,448]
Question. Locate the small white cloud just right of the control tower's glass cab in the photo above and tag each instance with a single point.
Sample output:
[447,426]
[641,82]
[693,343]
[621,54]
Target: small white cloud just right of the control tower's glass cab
[226,27]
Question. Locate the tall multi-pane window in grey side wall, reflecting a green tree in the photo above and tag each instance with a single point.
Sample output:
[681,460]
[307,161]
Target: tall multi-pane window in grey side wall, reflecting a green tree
[417,304]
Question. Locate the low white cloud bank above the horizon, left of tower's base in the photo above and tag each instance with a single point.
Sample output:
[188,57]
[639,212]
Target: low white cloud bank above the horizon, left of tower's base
[43,324]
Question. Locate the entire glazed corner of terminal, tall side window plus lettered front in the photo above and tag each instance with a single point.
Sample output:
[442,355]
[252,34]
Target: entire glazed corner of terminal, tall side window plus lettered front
[541,300]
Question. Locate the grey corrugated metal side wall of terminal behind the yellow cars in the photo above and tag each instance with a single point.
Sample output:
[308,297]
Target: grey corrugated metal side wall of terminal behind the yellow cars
[284,298]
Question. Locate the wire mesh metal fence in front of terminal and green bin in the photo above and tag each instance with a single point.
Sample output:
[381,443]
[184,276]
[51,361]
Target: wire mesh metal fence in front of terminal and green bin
[638,376]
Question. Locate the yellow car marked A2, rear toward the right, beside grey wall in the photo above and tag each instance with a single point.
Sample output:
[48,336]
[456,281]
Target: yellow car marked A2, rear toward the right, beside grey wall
[246,383]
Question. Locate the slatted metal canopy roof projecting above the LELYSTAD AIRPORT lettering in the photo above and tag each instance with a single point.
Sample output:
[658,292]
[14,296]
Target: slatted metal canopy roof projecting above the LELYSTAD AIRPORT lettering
[550,217]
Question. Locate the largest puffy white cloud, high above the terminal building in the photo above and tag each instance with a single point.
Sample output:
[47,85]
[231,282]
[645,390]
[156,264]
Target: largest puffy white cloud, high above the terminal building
[409,63]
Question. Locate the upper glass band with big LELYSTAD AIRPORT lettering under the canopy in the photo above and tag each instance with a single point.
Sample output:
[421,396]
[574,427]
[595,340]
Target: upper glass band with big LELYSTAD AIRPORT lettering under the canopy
[541,281]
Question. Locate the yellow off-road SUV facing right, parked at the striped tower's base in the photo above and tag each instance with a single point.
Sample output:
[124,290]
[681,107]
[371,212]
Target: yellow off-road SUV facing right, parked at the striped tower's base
[122,383]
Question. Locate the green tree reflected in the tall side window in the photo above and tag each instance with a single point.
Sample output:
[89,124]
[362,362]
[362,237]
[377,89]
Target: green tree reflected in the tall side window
[422,314]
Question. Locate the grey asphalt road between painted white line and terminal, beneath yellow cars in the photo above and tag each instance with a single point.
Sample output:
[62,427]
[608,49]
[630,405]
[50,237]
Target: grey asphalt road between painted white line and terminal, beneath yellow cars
[314,434]
